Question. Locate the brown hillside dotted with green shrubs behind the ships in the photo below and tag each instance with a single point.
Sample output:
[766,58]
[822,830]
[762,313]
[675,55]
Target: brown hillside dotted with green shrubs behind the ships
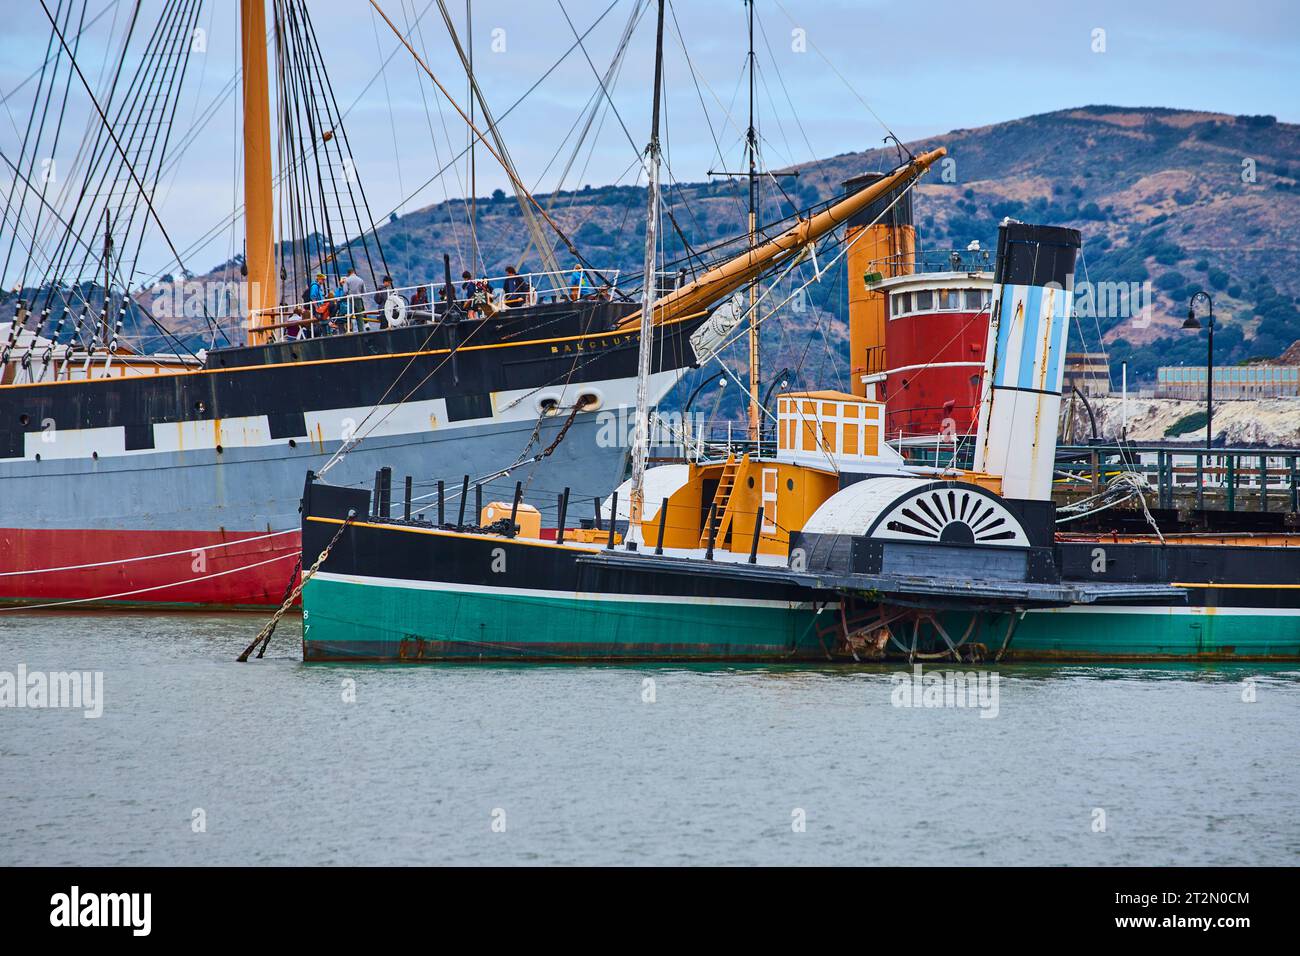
[1180,200]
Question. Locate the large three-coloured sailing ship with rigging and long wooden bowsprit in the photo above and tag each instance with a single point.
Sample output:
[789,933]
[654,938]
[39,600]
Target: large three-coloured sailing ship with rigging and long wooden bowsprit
[175,479]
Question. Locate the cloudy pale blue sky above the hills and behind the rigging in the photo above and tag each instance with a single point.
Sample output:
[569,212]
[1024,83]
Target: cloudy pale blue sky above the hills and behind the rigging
[833,75]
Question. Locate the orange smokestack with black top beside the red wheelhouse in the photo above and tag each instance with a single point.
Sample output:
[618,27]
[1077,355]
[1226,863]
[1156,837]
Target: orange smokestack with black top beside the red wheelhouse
[882,243]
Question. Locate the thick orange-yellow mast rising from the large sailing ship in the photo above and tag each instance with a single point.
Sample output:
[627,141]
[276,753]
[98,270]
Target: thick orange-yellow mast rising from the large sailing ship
[259,231]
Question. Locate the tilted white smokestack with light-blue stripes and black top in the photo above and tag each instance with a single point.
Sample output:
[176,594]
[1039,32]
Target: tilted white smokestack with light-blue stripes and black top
[1025,360]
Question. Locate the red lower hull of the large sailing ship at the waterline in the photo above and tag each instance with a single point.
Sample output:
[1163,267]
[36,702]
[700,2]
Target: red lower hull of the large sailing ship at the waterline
[96,569]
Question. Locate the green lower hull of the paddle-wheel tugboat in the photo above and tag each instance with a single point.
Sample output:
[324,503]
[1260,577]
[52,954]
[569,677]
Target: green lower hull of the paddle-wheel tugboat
[397,621]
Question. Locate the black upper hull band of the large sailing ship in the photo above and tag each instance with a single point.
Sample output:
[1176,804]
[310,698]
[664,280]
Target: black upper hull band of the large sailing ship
[518,358]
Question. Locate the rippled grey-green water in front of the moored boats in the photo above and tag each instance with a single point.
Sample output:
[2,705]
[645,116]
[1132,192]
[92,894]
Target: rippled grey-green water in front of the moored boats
[718,769]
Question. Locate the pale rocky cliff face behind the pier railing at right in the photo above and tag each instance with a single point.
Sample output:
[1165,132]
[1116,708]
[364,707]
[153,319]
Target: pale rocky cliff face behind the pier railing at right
[1240,422]
